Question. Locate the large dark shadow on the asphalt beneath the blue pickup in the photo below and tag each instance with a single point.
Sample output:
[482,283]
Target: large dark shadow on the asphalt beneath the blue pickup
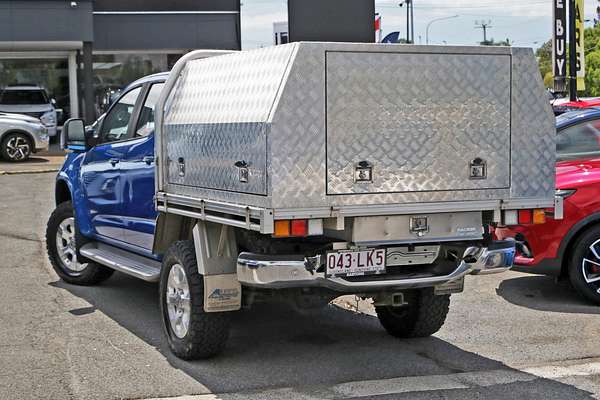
[273,346]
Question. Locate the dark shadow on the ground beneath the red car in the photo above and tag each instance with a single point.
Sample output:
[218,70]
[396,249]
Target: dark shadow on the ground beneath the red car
[542,293]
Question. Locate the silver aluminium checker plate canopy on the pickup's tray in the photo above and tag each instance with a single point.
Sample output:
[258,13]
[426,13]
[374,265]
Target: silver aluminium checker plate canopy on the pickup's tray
[289,128]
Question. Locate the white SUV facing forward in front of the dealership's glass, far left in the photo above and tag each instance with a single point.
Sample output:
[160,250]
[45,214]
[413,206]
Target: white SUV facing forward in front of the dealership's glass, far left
[30,100]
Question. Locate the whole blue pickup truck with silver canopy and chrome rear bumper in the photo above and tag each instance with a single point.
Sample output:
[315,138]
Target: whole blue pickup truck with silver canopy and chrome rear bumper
[245,177]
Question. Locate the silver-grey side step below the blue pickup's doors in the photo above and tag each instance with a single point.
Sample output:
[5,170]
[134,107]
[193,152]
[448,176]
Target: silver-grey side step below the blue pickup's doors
[123,261]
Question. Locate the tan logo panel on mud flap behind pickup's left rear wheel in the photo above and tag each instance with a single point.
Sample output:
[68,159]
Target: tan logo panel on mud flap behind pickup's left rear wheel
[222,293]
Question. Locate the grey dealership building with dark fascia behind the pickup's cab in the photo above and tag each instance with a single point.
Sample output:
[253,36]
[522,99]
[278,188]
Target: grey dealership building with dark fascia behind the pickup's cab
[84,51]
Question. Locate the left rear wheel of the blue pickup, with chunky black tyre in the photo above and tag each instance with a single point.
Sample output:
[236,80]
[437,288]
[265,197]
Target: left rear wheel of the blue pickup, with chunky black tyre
[191,332]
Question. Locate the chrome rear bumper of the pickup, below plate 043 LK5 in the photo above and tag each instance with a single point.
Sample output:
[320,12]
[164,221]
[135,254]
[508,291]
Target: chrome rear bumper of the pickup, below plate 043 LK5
[278,272]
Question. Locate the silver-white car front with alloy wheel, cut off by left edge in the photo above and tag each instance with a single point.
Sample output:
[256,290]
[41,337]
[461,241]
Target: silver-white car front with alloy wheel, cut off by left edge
[21,135]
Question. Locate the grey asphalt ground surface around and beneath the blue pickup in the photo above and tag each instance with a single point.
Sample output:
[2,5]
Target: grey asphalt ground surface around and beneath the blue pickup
[508,336]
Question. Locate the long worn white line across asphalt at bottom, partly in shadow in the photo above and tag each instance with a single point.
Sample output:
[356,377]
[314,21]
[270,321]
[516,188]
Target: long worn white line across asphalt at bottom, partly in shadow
[408,384]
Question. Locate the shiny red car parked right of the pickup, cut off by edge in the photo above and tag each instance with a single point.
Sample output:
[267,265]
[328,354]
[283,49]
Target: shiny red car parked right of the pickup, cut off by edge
[569,247]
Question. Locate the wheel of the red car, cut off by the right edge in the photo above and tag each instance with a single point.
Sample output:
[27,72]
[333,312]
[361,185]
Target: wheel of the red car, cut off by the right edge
[584,265]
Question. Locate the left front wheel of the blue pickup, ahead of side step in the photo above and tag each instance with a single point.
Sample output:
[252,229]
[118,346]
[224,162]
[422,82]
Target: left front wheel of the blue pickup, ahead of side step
[62,237]
